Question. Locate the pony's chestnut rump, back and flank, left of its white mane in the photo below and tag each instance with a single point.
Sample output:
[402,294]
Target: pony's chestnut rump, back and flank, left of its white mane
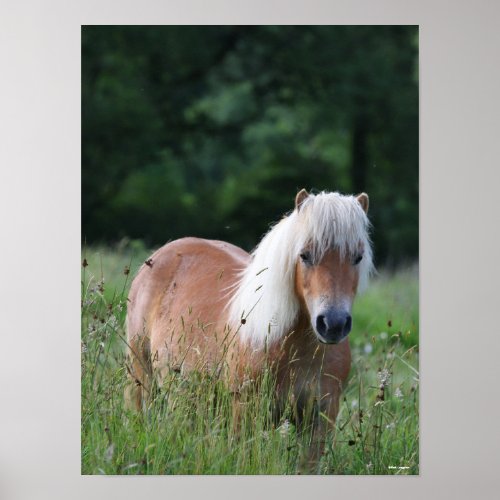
[176,314]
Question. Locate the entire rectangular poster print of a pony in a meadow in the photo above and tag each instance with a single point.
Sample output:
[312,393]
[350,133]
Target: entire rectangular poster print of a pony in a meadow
[250,250]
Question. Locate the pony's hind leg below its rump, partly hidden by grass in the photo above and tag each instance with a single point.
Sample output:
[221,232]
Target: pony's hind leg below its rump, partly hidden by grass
[139,373]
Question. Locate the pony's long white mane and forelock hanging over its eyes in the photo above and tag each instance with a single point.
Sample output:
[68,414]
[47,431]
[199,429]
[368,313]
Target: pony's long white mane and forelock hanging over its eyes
[264,303]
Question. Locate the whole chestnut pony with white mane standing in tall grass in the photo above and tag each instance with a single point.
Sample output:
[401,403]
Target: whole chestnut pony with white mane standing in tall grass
[201,304]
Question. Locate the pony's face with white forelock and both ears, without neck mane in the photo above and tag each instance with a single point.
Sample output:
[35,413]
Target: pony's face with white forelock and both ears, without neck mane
[333,256]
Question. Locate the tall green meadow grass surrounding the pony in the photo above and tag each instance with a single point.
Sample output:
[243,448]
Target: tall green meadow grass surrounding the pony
[186,428]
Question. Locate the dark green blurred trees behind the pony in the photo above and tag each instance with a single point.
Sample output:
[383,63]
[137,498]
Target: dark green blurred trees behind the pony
[210,130]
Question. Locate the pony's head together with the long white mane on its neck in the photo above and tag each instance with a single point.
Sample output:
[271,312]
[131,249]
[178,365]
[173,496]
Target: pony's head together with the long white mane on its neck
[309,264]
